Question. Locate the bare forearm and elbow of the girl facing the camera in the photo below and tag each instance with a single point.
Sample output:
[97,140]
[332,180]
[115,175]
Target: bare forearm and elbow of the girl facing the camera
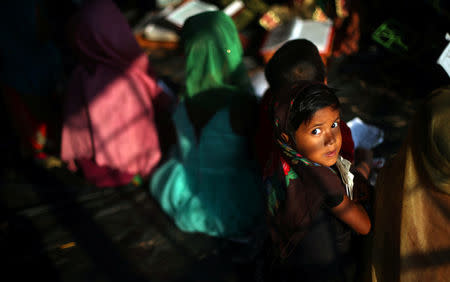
[353,215]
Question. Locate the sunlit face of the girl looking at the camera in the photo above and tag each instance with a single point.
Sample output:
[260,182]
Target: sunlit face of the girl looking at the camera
[320,139]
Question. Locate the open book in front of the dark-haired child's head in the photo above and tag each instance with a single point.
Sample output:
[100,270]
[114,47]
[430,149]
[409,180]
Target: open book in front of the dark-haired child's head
[319,33]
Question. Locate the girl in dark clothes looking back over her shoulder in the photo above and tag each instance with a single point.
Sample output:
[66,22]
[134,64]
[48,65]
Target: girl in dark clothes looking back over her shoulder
[312,199]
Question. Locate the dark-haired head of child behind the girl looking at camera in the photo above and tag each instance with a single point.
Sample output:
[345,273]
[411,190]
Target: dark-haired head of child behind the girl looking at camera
[296,60]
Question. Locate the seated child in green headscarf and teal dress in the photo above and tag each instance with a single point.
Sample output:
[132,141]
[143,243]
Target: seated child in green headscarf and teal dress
[209,184]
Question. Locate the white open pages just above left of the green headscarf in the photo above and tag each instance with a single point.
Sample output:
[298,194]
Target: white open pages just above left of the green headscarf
[189,9]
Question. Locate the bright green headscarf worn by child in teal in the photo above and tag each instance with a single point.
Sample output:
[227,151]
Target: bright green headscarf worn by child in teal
[213,54]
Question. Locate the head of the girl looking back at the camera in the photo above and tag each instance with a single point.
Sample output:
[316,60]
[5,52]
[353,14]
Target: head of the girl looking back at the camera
[313,122]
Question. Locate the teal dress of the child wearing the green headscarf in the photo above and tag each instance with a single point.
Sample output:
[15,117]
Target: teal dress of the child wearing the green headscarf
[209,185]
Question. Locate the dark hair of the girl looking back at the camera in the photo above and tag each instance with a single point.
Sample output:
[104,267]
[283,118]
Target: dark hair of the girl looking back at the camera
[309,98]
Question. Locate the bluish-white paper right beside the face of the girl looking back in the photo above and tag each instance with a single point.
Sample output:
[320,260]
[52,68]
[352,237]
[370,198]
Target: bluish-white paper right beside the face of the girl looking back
[364,135]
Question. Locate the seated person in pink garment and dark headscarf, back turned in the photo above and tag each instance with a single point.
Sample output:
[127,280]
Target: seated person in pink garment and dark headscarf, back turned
[109,108]
